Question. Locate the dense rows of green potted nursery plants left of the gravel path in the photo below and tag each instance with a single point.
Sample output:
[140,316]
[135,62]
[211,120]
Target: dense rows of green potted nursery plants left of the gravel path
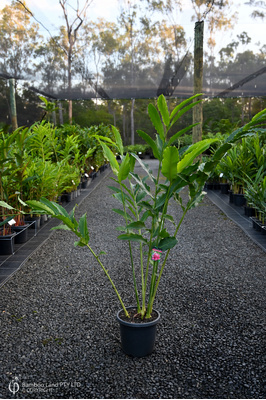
[44,161]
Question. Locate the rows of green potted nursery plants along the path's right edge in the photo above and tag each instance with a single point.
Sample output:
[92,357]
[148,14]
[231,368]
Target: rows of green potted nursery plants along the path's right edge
[242,175]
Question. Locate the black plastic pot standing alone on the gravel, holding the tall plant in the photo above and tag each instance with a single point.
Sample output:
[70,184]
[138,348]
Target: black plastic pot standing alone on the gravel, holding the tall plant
[138,339]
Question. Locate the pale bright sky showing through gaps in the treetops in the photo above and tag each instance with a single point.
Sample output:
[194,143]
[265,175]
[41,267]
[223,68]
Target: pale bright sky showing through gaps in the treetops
[49,12]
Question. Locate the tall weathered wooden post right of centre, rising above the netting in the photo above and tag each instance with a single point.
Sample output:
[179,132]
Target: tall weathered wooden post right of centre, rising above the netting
[198,80]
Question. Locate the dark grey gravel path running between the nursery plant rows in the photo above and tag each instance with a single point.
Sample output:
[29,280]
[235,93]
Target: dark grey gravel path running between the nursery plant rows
[60,338]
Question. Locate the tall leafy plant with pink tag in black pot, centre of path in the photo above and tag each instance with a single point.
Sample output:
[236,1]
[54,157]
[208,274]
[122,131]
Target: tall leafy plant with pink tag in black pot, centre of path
[144,207]
